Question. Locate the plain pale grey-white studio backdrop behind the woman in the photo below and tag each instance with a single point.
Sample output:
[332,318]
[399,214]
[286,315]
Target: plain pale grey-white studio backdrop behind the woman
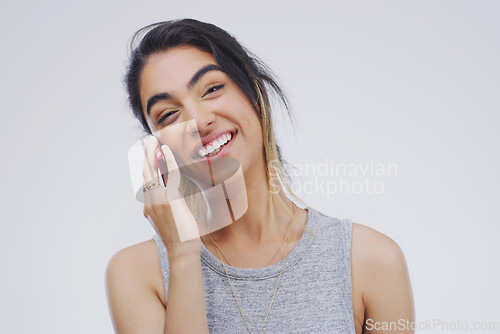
[411,83]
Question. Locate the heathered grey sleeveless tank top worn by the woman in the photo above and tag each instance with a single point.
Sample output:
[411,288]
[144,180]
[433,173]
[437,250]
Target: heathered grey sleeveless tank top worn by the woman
[314,294]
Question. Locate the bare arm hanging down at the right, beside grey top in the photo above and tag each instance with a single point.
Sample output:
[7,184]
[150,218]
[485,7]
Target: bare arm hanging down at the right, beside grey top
[380,275]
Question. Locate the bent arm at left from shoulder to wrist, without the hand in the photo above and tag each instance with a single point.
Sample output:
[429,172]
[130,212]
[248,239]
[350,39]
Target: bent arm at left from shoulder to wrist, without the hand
[135,301]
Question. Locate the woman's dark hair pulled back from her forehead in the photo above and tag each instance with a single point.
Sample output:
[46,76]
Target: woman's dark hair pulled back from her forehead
[247,71]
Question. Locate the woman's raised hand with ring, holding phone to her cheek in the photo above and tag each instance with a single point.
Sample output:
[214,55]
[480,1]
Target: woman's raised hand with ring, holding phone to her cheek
[165,207]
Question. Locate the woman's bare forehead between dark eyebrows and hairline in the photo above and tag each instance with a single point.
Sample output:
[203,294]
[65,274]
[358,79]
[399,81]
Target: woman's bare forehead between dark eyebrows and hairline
[172,68]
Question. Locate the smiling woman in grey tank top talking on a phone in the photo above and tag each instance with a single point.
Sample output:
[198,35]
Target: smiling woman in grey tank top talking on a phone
[276,268]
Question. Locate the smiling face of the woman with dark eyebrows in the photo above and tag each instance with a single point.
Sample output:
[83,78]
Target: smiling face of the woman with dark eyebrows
[196,107]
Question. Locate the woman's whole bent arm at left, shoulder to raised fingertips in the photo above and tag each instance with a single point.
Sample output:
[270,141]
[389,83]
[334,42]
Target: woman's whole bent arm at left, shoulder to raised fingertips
[134,302]
